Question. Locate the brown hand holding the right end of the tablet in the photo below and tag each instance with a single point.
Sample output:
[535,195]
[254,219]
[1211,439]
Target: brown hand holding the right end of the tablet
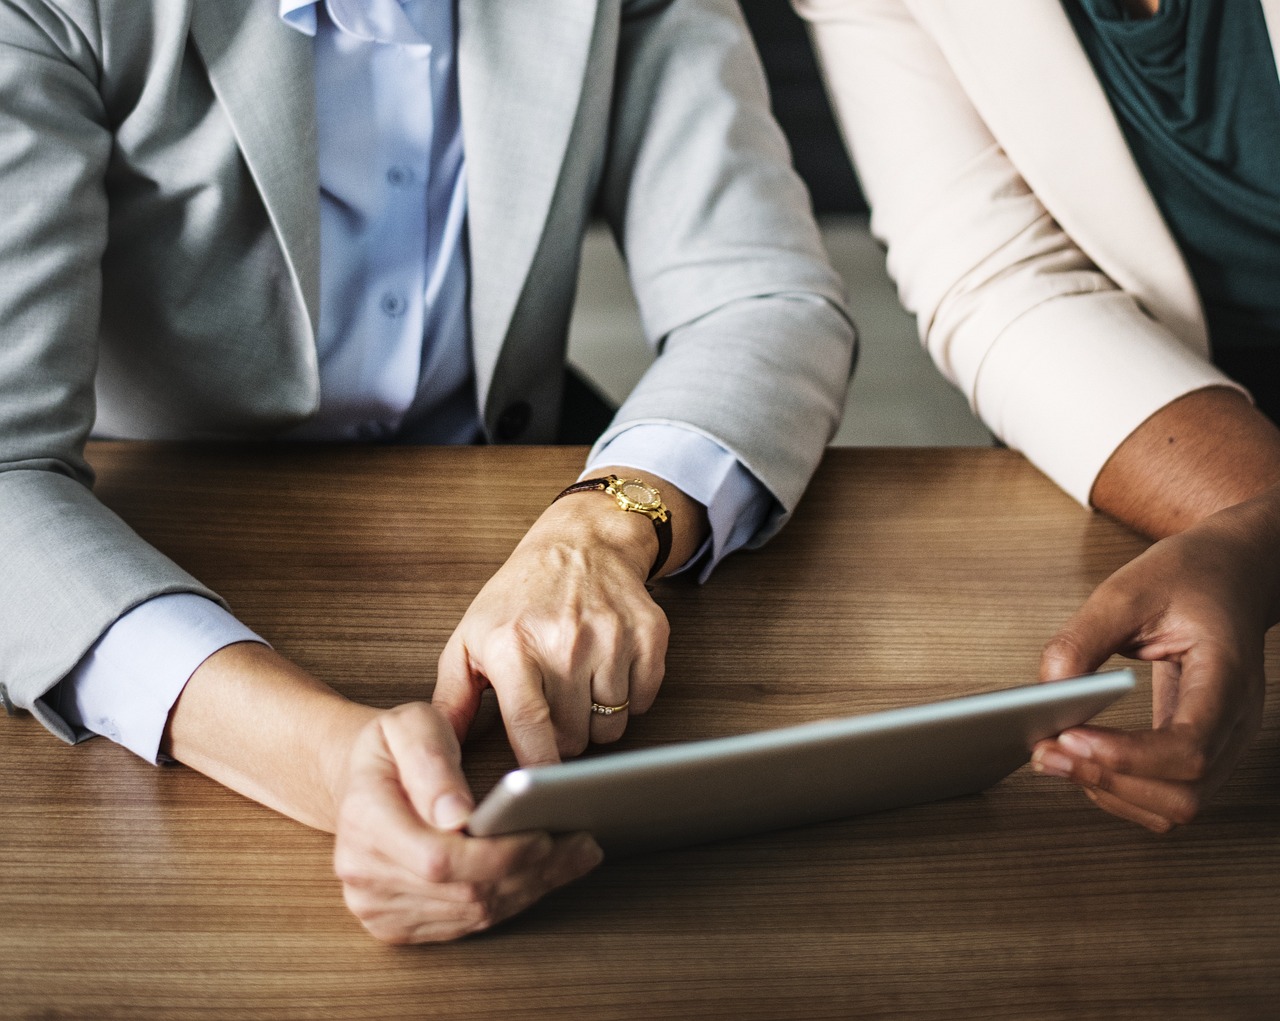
[1199,606]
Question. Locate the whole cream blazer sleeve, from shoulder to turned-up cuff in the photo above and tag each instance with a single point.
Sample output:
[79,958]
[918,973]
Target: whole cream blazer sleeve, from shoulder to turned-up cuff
[1058,360]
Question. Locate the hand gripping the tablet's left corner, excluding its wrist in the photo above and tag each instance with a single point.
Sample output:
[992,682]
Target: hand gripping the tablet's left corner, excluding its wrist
[408,872]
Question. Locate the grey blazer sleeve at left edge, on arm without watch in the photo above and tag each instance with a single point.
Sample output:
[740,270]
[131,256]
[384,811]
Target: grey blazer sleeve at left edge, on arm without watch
[68,566]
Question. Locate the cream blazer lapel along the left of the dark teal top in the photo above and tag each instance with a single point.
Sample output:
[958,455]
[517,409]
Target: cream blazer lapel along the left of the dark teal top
[1034,85]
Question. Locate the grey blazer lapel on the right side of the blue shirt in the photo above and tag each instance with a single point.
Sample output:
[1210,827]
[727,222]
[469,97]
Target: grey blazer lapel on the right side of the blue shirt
[522,71]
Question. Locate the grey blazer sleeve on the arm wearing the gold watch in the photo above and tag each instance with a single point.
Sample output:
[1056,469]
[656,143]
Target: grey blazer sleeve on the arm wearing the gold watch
[735,291]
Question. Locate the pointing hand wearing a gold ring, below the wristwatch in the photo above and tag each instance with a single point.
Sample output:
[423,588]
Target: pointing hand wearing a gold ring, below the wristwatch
[565,622]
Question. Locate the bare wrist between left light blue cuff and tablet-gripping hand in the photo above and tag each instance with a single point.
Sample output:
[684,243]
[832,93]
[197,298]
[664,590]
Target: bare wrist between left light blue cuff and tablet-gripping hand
[266,729]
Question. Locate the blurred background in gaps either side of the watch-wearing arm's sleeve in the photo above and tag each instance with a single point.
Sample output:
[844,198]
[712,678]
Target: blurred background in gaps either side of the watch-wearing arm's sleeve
[898,397]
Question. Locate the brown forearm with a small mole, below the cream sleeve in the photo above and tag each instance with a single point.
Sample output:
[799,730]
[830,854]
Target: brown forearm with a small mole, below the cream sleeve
[1203,454]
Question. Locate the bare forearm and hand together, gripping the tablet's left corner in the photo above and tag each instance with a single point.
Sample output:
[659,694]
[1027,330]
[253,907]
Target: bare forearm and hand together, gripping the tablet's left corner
[387,784]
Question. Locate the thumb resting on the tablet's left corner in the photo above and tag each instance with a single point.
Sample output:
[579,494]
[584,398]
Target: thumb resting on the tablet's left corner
[429,763]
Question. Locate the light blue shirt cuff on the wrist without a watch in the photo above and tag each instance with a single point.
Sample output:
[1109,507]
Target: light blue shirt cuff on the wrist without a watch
[127,684]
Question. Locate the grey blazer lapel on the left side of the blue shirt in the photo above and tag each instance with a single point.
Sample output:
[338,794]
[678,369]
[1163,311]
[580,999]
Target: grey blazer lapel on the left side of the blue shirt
[263,75]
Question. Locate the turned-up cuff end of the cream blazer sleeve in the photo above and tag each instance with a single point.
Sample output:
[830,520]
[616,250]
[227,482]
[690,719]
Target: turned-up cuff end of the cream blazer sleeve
[1069,402]
